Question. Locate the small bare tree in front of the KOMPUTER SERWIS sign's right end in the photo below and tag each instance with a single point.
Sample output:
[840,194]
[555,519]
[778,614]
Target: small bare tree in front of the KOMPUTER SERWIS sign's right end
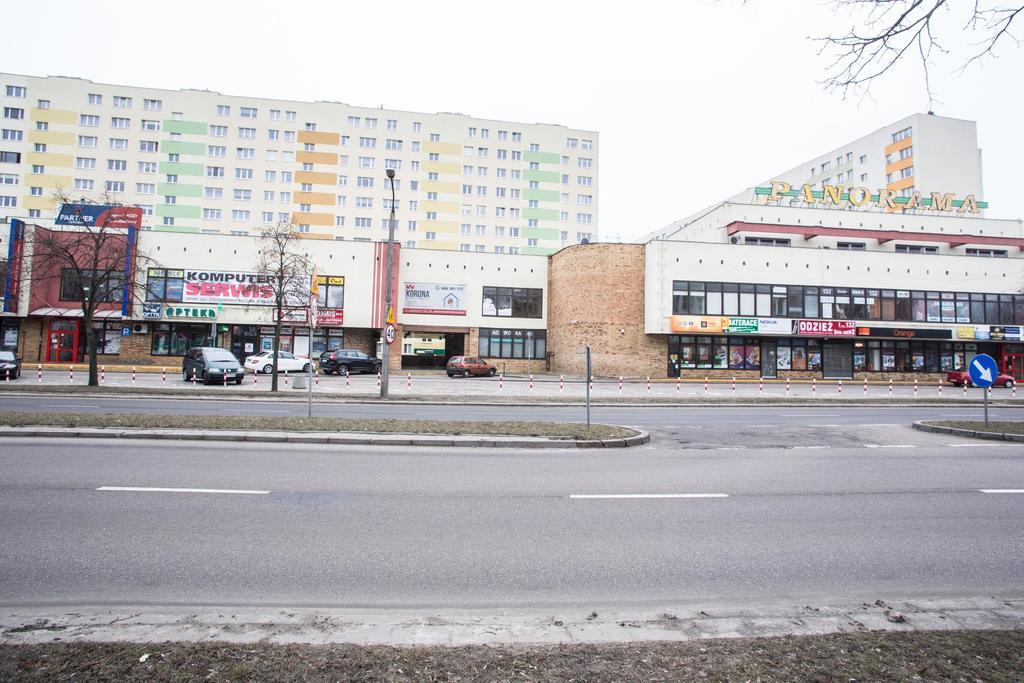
[285,275]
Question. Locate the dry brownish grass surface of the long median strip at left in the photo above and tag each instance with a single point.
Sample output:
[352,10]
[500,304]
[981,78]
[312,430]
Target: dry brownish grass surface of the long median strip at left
[297,424]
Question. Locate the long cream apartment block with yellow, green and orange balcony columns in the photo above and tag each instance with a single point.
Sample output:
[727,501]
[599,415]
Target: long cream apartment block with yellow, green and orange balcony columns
[198,161]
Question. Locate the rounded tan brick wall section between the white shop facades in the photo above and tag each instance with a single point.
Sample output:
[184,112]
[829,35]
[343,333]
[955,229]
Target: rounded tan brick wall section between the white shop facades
[596,298]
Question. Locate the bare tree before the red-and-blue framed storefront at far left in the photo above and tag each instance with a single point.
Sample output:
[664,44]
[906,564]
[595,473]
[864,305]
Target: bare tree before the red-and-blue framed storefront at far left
[95,264]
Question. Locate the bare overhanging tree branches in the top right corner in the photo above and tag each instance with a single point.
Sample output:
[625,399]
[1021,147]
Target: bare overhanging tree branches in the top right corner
[888,32]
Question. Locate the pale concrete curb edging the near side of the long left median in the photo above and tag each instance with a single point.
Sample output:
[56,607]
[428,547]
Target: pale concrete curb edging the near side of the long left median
[336,439]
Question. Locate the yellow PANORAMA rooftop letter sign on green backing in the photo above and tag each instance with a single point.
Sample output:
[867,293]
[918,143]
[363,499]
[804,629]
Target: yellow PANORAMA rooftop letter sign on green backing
[890,200]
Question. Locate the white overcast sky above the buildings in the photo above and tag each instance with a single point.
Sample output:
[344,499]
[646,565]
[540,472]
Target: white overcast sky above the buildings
[694,101]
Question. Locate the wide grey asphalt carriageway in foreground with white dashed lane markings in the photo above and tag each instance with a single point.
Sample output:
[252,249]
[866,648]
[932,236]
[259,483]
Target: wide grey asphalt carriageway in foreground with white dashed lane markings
[845,514]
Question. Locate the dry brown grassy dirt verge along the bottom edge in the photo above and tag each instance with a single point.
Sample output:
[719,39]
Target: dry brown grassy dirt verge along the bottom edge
[962,656]
